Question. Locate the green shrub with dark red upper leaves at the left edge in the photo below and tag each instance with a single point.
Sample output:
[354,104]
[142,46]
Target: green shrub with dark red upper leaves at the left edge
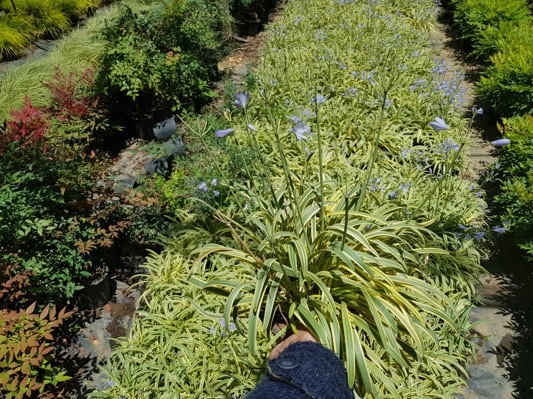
[49,226]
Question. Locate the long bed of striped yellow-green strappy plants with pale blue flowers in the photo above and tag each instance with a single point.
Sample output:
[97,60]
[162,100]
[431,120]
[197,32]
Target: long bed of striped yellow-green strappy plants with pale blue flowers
[345,215]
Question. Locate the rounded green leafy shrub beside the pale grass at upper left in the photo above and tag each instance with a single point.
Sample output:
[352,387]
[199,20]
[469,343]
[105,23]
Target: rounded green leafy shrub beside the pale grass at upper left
[163,58]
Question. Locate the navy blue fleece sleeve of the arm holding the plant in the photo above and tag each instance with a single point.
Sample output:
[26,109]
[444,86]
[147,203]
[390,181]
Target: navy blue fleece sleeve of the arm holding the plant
[304,370]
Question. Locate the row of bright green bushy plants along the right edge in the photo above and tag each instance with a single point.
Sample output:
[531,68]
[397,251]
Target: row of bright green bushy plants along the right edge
[500,33]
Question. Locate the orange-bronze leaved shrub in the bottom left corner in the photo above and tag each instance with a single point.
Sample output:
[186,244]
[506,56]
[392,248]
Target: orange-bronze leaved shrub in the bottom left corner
[27,352]
